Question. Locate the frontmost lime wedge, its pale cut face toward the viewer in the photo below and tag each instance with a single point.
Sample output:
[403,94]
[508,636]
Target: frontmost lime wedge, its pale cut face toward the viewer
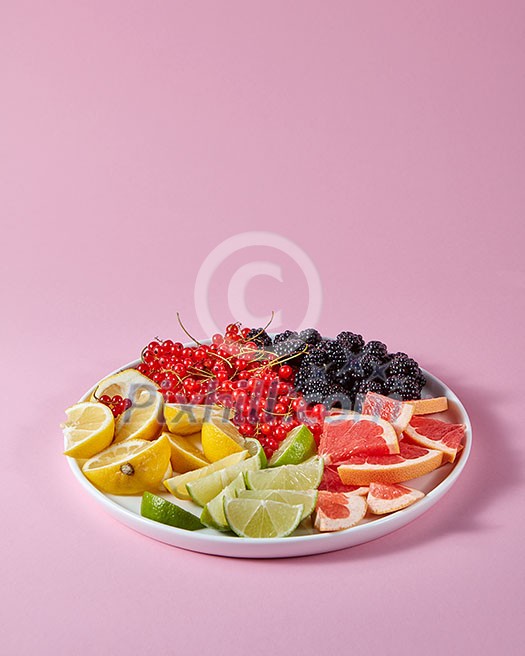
[262,518]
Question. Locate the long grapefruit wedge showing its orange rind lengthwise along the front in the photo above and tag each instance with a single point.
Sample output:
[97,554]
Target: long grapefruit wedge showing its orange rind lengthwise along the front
[411,461]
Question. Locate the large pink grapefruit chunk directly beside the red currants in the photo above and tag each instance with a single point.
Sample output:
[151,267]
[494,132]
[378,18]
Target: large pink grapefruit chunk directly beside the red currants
[343,437]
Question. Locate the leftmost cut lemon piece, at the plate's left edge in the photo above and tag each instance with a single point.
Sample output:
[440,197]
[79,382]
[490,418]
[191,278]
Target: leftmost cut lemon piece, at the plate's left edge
[89,429]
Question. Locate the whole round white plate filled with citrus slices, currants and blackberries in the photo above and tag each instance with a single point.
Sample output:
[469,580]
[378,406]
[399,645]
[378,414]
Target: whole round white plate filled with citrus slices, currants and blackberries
[256,445]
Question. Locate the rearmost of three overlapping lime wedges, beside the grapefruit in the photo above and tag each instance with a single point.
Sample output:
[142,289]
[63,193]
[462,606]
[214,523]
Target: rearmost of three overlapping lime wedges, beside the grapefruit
[305,476]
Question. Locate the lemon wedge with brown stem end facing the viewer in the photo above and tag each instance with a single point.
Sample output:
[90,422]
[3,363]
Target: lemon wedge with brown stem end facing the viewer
[130,467]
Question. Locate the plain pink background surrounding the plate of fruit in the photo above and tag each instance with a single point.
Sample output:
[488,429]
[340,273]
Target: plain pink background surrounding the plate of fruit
[386,140]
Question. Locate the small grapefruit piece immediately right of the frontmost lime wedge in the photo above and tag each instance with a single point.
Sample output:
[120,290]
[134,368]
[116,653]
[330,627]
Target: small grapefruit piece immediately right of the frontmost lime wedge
[336,511]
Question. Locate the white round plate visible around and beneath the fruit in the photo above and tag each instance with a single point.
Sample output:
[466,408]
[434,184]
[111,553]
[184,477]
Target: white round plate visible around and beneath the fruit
[126,509]
